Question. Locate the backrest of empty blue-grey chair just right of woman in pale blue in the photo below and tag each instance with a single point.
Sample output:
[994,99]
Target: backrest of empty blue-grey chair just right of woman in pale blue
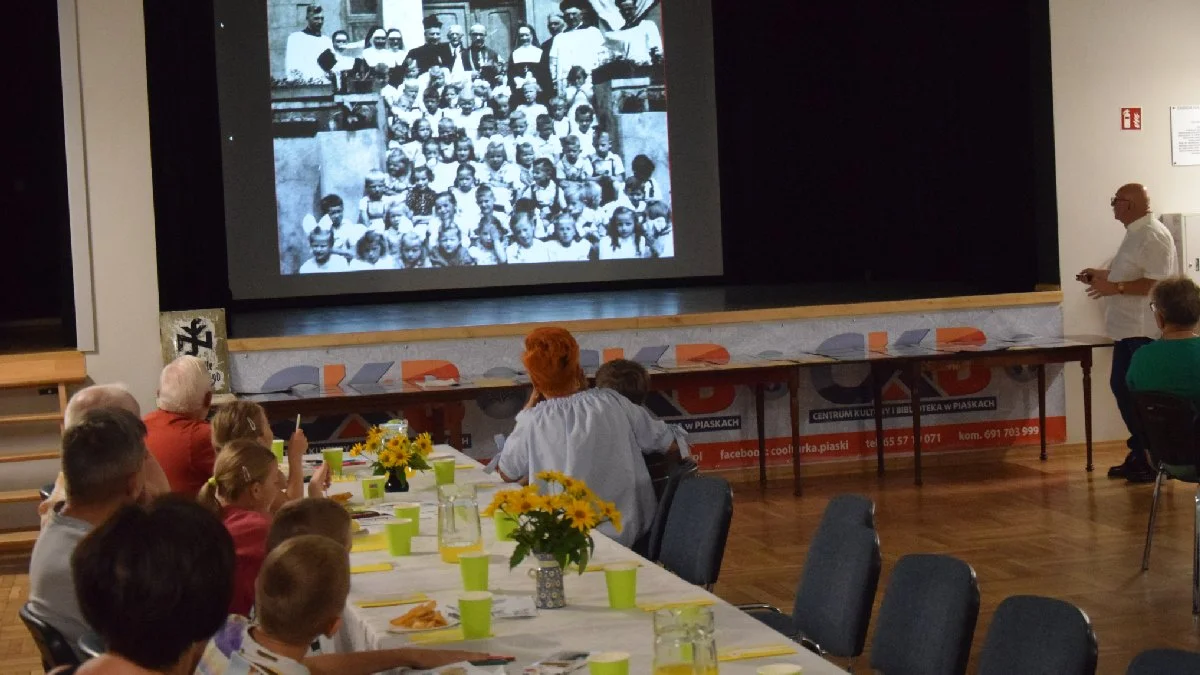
[697,530]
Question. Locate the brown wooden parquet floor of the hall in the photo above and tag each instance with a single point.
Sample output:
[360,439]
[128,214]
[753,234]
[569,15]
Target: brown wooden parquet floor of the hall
[1027,527]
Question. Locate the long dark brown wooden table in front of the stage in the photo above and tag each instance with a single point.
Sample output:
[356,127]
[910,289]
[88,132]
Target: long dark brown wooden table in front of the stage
[753,372]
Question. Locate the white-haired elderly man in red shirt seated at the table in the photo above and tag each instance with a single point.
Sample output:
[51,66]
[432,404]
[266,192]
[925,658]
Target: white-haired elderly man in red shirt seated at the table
[178,434]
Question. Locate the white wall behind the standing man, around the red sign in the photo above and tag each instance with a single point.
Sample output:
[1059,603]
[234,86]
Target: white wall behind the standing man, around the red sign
[1108,55]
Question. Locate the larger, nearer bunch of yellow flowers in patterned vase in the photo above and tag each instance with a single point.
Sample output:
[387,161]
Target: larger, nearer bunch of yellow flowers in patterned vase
[555,527]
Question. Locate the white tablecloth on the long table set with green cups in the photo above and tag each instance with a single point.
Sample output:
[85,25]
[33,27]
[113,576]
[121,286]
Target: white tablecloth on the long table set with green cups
[586,624]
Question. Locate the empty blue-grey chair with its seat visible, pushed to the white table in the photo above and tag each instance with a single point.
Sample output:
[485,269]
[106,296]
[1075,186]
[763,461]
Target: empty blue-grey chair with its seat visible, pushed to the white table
[842,575]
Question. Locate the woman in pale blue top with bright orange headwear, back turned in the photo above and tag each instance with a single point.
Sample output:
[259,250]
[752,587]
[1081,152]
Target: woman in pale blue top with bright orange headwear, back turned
[595,435]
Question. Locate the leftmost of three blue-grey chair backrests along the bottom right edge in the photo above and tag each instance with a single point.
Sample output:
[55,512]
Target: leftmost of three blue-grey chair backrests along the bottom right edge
[928,618]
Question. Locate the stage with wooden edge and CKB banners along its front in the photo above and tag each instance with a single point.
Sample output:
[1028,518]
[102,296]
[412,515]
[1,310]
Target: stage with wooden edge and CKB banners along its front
[476,345]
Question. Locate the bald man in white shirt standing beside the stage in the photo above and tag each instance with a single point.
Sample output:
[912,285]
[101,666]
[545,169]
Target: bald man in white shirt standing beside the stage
[1147,256]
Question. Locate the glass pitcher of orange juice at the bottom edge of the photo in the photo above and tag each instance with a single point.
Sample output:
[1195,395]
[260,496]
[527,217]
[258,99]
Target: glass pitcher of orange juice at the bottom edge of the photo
[685,642]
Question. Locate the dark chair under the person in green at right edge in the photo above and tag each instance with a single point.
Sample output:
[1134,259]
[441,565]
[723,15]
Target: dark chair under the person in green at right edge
[1168,425]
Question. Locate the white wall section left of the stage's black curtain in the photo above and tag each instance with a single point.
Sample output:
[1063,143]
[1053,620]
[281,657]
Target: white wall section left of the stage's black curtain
[121,198]
